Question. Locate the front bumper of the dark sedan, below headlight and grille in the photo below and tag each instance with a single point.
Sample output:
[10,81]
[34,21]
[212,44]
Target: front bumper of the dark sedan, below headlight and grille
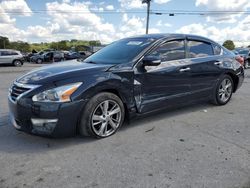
[62,118]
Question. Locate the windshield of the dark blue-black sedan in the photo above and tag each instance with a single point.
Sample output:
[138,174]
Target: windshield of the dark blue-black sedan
[122,51]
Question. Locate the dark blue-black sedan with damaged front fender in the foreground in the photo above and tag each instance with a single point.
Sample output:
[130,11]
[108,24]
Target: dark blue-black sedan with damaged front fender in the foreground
[130,77]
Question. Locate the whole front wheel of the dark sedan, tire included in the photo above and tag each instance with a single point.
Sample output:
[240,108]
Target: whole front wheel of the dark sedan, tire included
[98,122]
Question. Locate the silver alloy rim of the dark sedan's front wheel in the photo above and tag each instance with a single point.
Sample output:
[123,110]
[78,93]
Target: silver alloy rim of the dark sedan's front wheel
[106,118]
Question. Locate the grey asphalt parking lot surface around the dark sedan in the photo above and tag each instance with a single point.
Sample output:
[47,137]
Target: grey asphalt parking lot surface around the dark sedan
[196,146]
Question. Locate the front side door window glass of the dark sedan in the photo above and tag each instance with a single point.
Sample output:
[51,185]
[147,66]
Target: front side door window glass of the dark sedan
[172,50]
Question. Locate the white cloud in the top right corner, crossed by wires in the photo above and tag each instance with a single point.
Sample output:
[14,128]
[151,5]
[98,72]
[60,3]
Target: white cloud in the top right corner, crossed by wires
[223,5]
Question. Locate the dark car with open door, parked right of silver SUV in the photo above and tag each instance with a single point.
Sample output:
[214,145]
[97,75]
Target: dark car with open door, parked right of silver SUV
[50,56]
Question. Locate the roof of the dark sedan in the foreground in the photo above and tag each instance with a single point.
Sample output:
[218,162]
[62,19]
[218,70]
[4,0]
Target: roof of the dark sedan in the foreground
[172,35]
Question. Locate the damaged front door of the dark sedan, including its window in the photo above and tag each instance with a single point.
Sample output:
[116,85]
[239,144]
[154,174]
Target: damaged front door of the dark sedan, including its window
[166,84]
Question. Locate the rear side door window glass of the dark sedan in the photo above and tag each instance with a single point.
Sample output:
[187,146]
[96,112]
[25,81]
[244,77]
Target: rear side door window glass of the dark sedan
[199,49]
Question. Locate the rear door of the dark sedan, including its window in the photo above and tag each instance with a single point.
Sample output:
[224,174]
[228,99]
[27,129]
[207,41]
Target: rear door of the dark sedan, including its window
[205,67]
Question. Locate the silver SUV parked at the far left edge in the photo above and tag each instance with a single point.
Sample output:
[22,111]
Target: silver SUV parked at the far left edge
[13,57]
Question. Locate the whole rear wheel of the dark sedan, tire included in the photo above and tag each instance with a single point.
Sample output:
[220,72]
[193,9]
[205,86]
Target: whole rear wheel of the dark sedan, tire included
[224,88]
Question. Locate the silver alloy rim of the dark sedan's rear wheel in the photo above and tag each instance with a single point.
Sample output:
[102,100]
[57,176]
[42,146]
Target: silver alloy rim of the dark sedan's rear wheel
[225,90]
